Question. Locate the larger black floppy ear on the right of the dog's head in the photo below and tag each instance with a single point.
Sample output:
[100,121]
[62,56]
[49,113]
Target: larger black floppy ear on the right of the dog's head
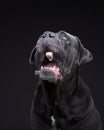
[85,55]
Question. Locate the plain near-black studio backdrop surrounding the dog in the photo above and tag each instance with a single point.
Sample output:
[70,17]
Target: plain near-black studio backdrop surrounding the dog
[21,23]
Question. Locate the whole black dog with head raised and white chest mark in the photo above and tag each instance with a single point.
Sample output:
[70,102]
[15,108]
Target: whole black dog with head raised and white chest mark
[61,99]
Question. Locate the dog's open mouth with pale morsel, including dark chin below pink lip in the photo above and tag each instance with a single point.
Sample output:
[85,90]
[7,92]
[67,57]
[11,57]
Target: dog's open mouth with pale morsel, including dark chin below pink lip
[49,70]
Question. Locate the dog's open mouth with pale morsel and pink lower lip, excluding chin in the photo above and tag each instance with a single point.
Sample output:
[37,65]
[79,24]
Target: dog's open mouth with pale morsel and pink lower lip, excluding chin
[50,66]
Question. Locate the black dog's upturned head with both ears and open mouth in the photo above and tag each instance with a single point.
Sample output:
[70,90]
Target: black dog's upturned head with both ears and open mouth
[57,55]
